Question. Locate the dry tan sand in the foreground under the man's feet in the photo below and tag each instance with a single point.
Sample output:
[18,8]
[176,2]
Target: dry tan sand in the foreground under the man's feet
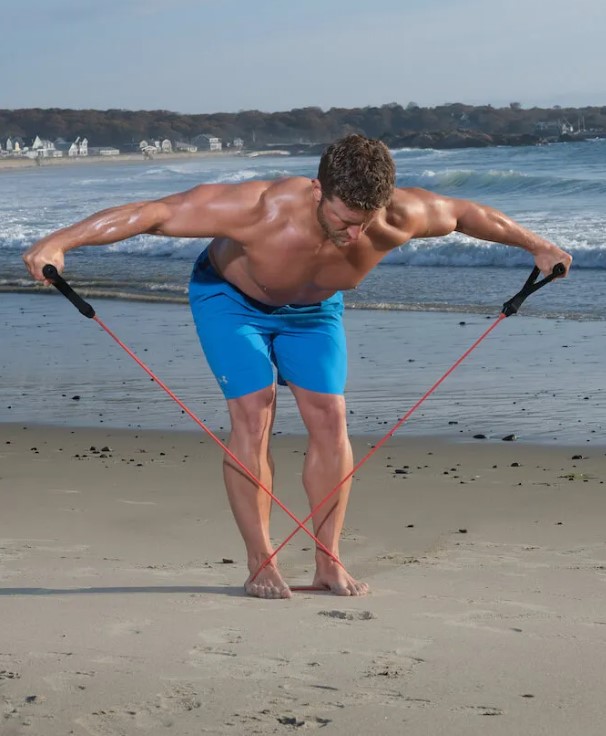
[123,613]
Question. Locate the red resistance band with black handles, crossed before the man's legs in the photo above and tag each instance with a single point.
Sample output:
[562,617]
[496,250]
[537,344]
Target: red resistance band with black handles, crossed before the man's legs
[510,307]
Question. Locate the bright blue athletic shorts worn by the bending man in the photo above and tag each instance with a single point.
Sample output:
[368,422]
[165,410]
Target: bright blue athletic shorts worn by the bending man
[244,339]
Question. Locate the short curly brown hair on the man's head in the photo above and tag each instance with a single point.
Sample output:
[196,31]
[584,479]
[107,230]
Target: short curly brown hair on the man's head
[358,170]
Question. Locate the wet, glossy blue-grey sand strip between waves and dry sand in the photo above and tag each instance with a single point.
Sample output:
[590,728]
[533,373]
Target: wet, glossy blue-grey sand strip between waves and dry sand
[554,395]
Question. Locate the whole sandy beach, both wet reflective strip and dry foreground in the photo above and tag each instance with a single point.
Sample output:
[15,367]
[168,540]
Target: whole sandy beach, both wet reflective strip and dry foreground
[122,569]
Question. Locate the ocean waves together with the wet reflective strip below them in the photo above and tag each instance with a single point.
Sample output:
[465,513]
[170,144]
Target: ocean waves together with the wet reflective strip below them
[539,375]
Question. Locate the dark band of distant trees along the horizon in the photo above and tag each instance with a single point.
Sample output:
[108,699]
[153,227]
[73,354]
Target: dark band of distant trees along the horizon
[309,125]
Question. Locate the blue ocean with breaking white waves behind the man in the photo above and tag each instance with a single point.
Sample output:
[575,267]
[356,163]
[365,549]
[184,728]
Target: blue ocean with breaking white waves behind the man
[557,190]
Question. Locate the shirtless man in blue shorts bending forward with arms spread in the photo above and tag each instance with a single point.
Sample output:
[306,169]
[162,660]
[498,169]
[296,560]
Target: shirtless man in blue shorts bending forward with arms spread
[267,291]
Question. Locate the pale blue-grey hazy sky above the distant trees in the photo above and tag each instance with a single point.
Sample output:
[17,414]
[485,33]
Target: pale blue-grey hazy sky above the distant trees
[203,56]
